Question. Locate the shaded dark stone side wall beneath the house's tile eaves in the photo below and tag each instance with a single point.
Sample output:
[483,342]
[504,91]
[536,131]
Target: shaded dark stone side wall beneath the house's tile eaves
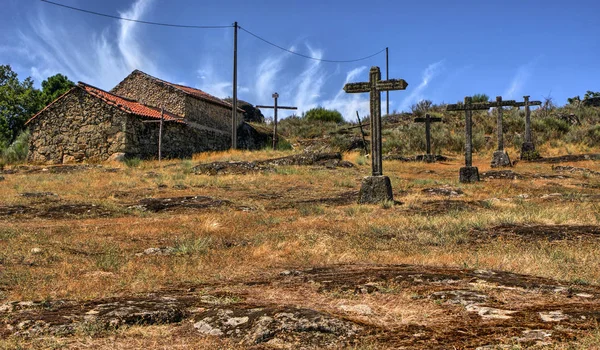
[178,140]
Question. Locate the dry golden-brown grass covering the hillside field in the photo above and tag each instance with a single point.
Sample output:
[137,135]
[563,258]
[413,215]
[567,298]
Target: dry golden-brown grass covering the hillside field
[87,258]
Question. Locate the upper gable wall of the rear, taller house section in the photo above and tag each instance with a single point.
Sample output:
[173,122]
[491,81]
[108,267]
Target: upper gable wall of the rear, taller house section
[147,90]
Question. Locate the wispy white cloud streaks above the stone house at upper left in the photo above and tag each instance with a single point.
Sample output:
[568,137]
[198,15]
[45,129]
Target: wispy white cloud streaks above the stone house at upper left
[102,59]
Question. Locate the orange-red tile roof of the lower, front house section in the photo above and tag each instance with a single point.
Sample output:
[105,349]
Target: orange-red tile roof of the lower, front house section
[122,103]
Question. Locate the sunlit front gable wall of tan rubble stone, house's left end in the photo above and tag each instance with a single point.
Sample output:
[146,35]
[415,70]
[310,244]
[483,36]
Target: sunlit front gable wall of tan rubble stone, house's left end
[78,127]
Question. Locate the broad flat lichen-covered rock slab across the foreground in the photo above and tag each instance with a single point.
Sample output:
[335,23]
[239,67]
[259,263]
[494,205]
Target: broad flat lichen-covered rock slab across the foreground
[339,306]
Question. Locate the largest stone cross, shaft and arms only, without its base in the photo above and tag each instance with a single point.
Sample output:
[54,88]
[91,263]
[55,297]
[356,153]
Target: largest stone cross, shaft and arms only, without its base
[374,87]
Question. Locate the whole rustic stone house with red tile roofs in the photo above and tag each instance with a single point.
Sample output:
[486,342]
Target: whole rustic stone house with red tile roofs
[90,124]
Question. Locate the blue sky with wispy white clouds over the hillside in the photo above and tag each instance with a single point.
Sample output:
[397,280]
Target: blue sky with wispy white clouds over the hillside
[443,49]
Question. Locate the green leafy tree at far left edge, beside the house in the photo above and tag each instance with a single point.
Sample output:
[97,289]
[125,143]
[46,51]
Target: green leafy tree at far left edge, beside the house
[18,102]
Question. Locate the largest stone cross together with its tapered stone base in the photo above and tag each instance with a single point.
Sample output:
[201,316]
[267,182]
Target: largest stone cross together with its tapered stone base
[376,188]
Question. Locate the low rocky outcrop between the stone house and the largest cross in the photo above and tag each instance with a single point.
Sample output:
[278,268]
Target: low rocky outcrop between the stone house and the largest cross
[328,160]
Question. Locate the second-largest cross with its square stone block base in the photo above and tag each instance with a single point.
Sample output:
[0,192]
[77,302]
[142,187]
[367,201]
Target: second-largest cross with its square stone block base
[469,173]
